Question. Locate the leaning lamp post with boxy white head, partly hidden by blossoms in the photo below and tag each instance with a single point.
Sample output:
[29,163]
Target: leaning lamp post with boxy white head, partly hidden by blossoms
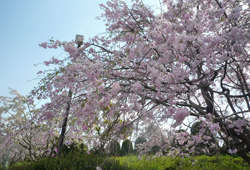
[79,41]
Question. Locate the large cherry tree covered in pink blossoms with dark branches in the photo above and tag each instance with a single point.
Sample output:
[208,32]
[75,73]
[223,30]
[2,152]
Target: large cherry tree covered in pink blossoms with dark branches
[190,59]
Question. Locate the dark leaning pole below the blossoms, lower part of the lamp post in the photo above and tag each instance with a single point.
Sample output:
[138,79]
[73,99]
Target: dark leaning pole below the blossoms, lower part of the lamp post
[64,126]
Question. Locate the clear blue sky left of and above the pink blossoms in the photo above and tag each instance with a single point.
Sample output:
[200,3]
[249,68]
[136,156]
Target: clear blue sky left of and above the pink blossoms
[27,23]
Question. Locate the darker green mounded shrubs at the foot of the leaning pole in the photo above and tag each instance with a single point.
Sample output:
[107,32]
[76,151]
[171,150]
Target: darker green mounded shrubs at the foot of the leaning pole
[77,161]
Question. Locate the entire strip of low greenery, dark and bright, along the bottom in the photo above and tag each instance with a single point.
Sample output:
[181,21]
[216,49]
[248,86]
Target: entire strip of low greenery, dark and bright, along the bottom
[83,161]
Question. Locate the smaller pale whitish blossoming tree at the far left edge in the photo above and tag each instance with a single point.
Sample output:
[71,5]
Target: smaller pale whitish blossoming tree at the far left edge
[21,137]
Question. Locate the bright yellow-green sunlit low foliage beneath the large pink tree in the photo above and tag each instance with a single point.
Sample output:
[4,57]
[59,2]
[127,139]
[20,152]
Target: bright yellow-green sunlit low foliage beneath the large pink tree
[191,163]
